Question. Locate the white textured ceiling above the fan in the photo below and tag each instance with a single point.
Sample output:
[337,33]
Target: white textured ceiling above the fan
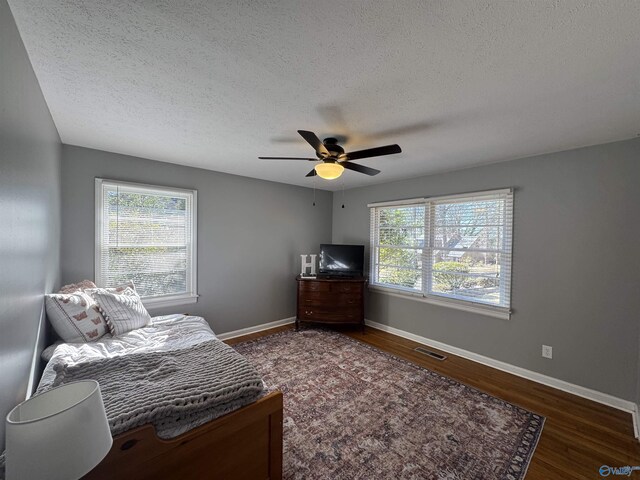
[214,84]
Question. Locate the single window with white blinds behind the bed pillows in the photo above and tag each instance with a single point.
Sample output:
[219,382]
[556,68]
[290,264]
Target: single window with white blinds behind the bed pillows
[147,234]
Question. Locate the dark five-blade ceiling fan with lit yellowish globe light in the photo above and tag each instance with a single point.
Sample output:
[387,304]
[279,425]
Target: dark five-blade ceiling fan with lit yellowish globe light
[333,159]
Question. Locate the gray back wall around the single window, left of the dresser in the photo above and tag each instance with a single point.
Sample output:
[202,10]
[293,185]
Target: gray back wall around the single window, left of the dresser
[250,233]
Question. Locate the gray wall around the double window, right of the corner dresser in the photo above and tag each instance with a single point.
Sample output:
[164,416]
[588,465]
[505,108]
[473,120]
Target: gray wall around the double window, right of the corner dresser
[576,280]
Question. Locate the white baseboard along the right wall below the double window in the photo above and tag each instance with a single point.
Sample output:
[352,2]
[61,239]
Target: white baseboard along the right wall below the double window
[603,398]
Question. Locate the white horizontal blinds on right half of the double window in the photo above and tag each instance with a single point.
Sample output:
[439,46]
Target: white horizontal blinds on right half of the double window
[470,248]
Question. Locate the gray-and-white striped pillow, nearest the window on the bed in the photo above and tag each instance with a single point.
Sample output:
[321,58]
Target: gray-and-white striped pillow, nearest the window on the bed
[123,311]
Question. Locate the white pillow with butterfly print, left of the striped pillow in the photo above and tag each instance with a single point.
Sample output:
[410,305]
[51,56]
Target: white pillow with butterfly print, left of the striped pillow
[75,317]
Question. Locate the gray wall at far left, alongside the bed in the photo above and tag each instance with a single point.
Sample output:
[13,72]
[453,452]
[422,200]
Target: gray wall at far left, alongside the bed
[29,214]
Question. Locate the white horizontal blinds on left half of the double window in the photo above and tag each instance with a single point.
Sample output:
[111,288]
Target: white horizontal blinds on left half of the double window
[397,241]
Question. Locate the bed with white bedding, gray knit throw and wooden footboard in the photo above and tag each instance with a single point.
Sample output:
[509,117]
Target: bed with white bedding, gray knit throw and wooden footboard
[240,439]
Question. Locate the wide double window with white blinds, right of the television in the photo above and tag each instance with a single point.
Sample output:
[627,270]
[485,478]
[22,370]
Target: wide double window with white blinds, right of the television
[453,250]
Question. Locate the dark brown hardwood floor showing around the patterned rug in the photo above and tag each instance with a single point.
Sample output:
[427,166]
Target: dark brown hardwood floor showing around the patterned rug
[579,435]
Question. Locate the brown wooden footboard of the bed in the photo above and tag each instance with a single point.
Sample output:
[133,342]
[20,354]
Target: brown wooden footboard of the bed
[245,444]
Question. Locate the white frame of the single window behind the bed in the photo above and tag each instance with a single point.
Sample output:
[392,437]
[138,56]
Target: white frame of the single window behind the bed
[155,301]
